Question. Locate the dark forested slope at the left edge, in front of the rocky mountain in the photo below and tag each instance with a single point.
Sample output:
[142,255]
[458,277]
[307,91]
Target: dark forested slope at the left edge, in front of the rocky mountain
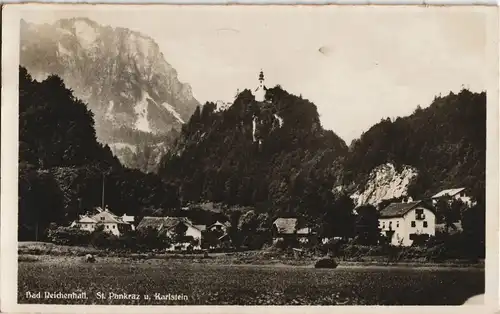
[62,167]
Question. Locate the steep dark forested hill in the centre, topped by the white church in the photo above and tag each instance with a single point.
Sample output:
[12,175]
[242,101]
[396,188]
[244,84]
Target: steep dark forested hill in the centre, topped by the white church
[273,154]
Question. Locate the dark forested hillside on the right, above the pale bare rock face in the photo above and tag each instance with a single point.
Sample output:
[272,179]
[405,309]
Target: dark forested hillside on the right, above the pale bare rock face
[445,143]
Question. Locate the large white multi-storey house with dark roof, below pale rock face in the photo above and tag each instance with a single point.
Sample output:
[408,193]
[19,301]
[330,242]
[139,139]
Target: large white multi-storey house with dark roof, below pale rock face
[400,221]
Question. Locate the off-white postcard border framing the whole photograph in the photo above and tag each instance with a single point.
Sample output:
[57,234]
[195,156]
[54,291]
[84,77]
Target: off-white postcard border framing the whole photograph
[9,187]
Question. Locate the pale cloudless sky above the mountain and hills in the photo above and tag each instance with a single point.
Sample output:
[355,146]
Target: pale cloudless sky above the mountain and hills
[357,64]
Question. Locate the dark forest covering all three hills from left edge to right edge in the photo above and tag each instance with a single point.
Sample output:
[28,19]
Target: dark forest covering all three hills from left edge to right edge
[260,159]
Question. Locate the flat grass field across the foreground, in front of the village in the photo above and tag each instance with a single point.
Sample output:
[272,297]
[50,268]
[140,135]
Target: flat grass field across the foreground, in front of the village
[246,284]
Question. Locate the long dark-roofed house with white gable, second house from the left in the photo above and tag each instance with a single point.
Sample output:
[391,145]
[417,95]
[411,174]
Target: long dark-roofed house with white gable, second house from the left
[170,226]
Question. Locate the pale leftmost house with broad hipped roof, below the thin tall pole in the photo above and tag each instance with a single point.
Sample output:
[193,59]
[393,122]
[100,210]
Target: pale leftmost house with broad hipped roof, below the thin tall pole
[110,222]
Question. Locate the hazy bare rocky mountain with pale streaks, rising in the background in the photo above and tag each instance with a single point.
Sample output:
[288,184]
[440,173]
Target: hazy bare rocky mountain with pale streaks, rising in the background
[121,74]
